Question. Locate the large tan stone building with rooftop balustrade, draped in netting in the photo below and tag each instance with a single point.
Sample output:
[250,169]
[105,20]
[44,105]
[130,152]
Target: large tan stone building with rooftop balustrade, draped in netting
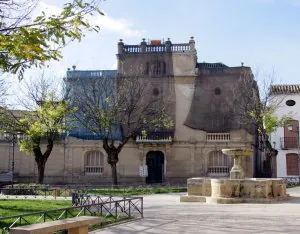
[206,110]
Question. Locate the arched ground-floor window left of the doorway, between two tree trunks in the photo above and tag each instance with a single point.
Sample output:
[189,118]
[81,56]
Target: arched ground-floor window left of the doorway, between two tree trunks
[94,163]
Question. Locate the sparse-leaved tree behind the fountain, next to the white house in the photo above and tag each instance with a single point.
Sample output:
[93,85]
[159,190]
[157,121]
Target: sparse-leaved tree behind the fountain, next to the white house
[256,109]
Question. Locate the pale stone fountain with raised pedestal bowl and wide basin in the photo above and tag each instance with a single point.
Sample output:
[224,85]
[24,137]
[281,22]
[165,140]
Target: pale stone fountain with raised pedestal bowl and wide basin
[237,189]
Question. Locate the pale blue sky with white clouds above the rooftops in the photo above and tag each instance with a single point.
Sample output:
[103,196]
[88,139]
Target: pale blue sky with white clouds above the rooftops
[263,34]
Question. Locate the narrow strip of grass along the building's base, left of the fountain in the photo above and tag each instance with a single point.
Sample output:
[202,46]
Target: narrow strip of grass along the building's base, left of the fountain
[135,191]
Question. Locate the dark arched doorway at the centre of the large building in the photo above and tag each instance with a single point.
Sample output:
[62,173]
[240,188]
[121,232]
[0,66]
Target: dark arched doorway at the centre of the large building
[155,162]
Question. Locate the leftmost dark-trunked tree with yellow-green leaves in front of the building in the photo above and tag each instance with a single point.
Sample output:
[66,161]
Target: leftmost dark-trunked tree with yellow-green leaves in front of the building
[41,121]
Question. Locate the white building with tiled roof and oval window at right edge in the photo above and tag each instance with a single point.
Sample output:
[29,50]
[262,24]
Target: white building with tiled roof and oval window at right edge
[286,139]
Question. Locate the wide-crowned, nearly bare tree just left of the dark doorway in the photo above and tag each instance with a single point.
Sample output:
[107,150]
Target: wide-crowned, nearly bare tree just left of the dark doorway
[123,106]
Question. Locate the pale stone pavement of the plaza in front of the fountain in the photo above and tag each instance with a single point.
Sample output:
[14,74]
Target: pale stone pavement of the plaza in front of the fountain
[165,214]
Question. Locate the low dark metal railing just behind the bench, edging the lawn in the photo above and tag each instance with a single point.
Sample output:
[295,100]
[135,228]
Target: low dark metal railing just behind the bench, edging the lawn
[112,210]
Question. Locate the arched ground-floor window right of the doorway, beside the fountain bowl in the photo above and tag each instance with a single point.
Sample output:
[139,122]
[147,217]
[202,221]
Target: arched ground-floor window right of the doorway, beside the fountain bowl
[219,164]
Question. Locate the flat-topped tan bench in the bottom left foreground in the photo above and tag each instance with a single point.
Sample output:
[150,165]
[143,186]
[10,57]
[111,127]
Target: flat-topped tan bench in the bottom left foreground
[78,225]
